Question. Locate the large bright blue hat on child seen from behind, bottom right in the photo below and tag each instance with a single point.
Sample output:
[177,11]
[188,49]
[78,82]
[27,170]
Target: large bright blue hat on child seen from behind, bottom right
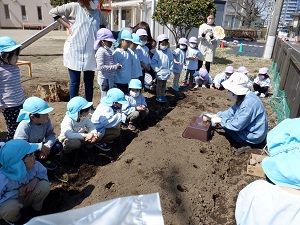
[283,165]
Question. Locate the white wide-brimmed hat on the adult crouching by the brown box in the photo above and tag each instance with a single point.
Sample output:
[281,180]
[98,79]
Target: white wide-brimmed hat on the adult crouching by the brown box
[237,83]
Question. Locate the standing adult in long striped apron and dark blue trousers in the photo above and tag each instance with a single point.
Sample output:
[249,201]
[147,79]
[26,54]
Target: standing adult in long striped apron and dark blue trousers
[79,54]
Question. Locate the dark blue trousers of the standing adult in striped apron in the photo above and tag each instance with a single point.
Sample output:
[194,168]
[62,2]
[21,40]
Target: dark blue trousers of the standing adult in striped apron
[88,78]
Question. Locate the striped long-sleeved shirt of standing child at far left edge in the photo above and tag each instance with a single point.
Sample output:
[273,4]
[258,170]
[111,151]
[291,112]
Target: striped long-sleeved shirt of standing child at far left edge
[11,92]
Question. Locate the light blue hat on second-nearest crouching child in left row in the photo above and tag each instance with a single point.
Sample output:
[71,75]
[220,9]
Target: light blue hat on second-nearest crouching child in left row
[33,105]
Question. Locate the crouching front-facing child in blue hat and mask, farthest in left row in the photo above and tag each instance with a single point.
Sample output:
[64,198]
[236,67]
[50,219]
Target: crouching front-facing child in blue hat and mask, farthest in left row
[136,109]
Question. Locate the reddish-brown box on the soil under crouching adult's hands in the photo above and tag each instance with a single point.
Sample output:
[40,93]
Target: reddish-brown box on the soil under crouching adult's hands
[198,129]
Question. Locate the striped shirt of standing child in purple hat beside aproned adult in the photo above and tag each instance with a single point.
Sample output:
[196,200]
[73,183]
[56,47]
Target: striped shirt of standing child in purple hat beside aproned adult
[105,63]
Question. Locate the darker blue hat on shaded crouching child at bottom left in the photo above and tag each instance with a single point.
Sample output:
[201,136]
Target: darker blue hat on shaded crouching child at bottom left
[11,155]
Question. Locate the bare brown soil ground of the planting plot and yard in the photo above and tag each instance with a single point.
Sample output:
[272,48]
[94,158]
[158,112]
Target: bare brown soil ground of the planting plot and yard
[198,182]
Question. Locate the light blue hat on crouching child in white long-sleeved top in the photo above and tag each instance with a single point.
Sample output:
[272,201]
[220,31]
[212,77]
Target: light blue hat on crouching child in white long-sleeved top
[75,105]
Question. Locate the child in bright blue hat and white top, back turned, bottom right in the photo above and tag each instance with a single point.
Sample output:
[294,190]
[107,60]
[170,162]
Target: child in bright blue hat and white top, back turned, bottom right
[275,202]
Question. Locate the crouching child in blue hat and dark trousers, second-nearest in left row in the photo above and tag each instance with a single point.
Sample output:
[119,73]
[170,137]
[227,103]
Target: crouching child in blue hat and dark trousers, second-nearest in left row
[36,127]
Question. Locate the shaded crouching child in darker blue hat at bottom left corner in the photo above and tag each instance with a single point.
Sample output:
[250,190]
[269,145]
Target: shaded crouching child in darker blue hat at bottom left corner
[23,180]
